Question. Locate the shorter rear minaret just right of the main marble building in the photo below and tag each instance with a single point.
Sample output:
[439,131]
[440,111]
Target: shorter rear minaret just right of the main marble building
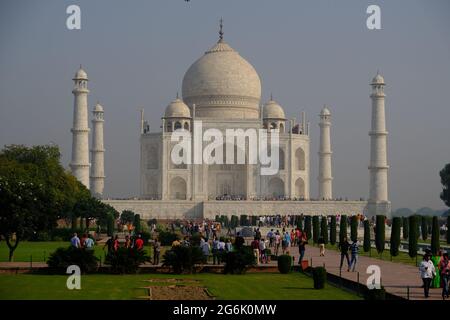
[325,178]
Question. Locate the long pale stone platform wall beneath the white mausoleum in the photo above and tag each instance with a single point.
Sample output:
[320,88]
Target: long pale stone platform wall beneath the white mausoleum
[175,209]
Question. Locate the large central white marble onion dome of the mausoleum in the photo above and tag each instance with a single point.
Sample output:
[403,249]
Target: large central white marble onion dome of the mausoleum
[222,85]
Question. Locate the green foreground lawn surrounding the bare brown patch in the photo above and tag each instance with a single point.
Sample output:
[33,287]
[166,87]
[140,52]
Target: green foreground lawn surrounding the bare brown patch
[293,286]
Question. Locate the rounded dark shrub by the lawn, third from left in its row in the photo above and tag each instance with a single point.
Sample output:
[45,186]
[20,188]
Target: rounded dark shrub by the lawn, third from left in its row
[182,259]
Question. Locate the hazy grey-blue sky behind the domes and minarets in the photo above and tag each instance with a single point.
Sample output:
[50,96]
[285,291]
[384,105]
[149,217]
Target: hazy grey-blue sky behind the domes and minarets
[308,53]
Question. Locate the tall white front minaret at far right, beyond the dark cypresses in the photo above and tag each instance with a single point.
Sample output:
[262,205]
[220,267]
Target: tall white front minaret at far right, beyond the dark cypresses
[378,168]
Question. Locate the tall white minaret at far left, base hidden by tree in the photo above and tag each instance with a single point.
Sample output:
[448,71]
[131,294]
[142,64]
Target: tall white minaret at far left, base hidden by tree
[80,130]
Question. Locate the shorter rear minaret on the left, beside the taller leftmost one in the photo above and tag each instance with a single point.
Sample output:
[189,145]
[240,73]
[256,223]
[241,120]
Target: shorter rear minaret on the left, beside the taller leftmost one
[97,153]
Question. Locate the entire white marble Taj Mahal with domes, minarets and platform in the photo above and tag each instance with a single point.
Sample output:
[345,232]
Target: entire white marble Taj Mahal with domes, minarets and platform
[223,90]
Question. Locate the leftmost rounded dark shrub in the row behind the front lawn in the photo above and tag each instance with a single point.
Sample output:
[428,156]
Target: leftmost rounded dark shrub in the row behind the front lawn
[64,257]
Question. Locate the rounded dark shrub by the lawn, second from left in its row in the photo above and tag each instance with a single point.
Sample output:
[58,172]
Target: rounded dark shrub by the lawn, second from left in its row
[126,260]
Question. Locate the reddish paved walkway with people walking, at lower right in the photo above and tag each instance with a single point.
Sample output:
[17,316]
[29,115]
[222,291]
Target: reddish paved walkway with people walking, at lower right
[395,277]
